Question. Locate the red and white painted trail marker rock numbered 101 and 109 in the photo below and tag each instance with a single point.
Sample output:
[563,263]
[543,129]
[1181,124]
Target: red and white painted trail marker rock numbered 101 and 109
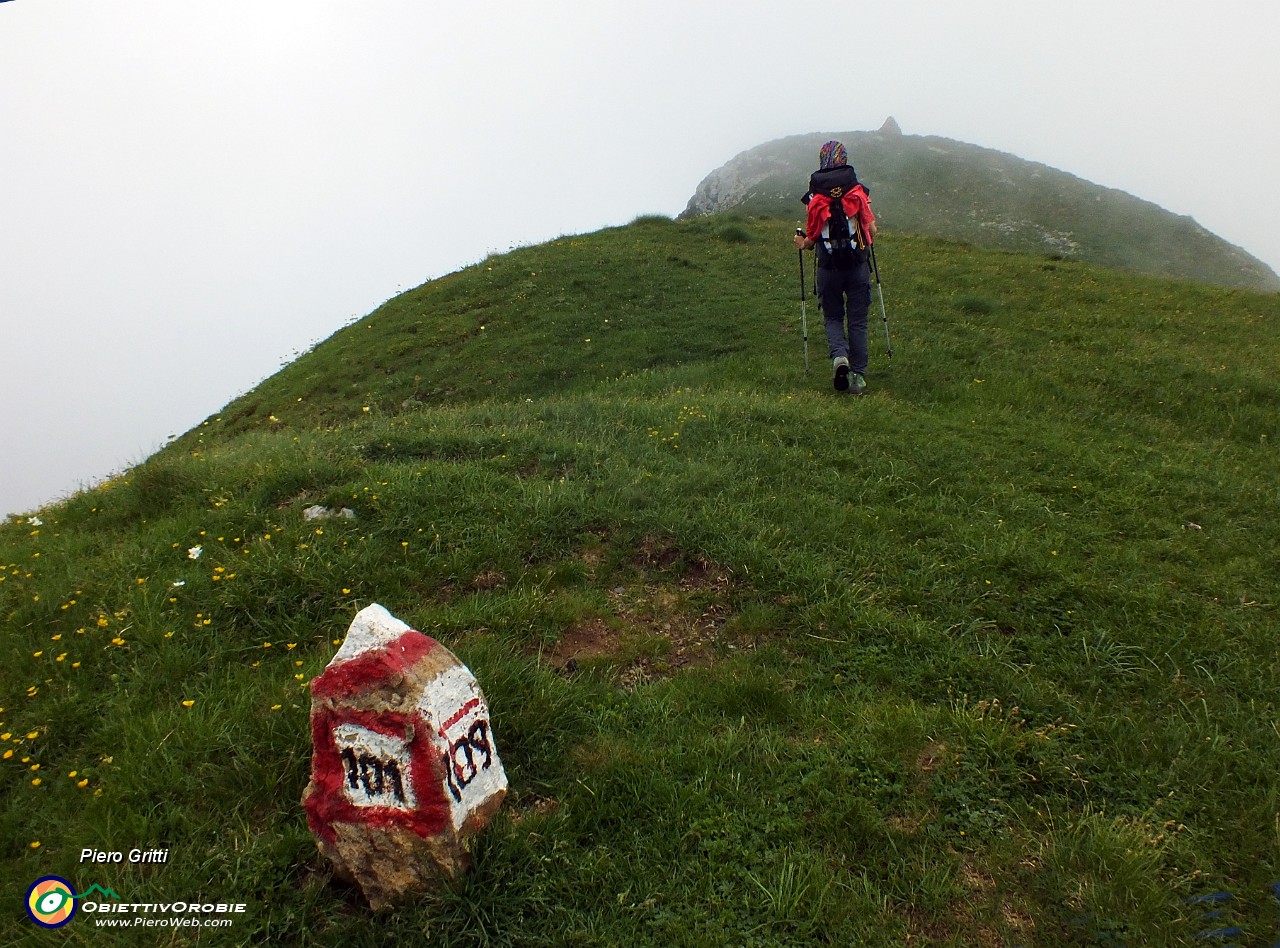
[404,764]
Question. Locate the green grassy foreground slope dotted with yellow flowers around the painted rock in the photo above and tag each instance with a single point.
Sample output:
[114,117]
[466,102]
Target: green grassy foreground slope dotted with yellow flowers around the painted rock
[984,658]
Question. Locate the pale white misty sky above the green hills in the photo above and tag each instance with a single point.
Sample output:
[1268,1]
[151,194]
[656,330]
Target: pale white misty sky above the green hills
[191,194]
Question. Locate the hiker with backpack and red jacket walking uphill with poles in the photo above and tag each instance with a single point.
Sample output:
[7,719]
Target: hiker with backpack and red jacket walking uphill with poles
[838,200]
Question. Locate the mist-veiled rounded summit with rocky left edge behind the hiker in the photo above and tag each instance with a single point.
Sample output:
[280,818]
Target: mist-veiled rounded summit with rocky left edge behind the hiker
[973,195]
